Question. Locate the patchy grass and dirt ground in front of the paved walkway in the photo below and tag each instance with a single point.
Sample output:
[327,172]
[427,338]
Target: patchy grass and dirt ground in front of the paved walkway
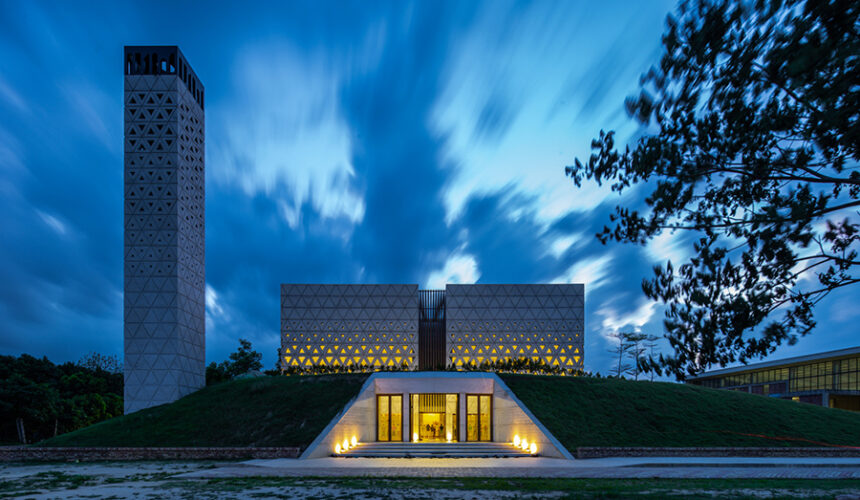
[189,480]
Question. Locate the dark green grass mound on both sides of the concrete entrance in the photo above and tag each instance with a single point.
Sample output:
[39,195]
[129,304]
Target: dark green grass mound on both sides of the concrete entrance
[579,411]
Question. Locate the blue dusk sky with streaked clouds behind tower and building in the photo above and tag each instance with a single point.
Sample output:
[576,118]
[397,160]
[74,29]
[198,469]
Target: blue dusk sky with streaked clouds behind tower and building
[370,142]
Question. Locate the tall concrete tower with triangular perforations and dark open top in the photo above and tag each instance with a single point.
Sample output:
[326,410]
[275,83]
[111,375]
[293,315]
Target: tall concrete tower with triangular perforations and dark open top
[164,280]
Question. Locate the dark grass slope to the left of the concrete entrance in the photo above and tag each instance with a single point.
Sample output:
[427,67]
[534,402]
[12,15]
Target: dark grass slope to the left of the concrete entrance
[263,411]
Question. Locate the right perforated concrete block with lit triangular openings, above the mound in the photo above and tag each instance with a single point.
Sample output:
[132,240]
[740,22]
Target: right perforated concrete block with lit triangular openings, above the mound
[500,322]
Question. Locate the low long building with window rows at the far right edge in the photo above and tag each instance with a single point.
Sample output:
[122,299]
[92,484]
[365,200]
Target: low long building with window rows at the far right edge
[829,379]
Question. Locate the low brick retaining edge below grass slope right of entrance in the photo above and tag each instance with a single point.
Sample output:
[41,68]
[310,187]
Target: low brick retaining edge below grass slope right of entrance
[601,452]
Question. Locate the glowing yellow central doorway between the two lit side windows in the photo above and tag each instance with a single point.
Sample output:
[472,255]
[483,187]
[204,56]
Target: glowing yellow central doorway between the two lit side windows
[434,417]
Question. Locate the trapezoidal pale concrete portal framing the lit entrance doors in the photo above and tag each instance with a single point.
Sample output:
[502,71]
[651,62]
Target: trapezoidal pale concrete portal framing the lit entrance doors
[510,417]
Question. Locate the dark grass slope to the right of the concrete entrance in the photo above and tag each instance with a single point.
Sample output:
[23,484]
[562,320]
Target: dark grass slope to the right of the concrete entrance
[611,412]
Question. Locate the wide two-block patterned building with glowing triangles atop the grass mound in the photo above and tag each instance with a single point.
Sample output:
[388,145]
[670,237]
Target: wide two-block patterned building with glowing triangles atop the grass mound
[375,327]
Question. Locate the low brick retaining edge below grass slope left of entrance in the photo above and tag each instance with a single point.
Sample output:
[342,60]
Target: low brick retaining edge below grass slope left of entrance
[72,454]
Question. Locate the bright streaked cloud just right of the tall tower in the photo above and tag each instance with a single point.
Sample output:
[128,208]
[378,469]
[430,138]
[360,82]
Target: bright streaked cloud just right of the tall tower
[282,134]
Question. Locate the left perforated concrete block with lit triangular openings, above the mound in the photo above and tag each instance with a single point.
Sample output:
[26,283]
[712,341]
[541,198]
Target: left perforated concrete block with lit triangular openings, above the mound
[341,325]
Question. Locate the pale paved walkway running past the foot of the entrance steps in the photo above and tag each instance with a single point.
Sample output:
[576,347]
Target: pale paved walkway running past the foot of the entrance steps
[640,467]
